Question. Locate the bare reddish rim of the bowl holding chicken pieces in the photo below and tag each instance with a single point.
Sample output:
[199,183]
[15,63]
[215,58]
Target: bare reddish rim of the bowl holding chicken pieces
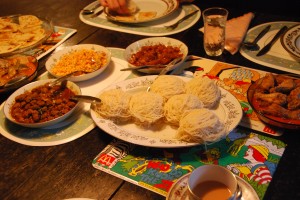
[265,118]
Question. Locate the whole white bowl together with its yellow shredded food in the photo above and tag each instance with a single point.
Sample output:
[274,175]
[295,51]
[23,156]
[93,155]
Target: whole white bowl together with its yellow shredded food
[97,66]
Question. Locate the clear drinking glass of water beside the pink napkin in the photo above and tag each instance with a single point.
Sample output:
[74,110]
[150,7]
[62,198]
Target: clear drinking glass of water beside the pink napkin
[214,30]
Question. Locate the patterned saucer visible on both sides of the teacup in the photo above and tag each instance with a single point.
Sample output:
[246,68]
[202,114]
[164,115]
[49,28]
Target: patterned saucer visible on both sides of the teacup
[179,190]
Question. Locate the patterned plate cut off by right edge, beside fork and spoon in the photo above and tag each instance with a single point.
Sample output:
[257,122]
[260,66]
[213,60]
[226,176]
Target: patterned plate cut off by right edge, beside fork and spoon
[290,40]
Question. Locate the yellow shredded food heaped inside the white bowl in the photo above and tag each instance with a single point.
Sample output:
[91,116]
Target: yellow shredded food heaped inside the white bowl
[79,60]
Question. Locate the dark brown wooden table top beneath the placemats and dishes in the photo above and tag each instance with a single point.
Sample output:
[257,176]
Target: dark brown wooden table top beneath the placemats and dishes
[65,171]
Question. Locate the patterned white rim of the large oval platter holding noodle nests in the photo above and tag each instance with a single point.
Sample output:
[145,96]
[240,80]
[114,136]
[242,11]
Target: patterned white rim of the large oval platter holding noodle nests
[124,135]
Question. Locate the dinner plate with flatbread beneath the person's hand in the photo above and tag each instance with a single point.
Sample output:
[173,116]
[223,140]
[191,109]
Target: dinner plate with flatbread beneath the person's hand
[162,8]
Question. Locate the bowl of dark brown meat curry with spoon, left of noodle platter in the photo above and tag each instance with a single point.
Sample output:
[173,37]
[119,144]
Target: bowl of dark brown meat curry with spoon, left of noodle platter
[38,105]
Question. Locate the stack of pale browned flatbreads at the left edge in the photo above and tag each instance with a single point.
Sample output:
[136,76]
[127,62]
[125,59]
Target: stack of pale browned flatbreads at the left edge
[27,30]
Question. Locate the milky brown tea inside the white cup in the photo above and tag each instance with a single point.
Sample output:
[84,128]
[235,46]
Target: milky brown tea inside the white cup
[212,190]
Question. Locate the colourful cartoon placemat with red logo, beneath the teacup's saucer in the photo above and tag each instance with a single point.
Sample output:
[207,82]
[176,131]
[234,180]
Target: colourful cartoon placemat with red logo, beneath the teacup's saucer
[252,157]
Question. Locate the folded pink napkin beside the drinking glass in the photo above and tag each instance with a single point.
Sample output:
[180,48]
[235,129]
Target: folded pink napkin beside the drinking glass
[236,29]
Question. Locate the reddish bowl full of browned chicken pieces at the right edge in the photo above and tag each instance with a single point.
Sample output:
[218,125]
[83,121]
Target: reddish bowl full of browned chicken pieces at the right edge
[276,100]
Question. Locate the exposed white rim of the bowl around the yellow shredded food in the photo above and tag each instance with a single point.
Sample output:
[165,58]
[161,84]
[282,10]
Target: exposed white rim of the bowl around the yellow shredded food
[54,58]
